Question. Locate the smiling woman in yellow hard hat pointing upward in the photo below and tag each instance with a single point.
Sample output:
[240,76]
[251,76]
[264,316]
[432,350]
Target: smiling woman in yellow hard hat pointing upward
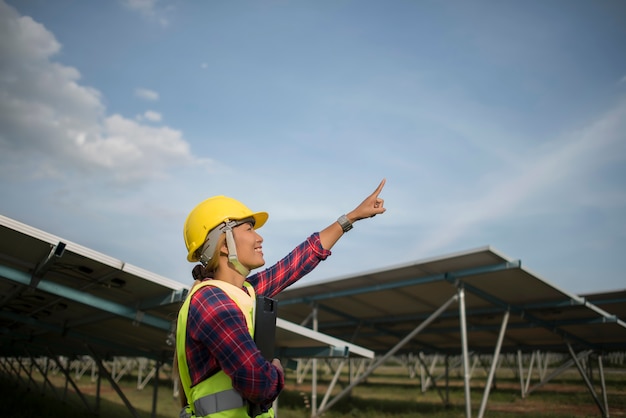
[221,369]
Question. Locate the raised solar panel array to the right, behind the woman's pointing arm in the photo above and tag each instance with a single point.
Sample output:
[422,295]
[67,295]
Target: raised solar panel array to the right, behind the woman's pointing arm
[379,308]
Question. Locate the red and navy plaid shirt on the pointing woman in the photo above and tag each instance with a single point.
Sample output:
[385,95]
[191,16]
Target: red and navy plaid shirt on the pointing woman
[217,336]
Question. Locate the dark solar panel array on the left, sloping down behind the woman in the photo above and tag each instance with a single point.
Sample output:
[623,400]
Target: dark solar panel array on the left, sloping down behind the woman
[58,298]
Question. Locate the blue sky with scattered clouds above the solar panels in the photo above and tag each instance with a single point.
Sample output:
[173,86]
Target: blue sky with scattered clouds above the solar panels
[495,123]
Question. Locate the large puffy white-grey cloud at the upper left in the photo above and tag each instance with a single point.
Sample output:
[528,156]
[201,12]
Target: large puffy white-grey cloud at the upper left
[51,125]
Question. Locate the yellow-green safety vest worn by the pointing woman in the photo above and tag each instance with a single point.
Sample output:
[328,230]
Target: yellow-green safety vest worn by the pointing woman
[215,396]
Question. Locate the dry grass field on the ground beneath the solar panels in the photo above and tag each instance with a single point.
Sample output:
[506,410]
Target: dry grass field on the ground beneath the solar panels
[387,393]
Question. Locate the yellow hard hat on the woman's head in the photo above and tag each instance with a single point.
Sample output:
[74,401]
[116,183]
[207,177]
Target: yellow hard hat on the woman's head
[211,213]
